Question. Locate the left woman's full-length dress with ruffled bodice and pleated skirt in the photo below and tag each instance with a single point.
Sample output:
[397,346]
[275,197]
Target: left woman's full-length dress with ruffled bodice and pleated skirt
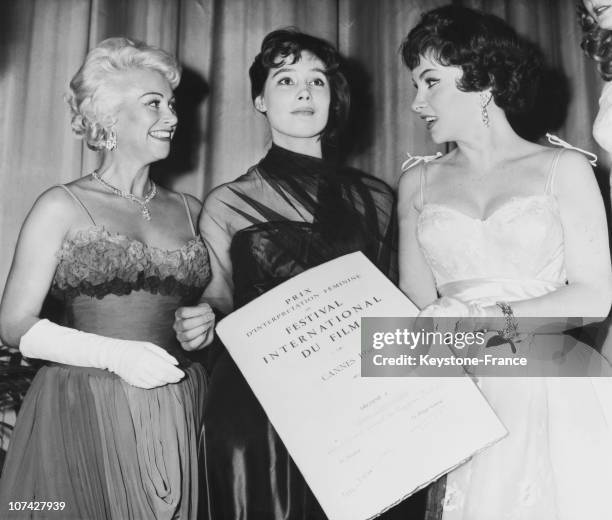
[83,435]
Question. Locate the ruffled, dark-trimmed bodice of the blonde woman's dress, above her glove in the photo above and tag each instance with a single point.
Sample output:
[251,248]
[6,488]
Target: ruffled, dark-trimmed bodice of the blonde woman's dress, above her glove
[119,287]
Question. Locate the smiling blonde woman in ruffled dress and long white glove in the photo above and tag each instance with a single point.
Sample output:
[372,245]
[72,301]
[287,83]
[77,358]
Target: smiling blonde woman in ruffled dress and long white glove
[110,425]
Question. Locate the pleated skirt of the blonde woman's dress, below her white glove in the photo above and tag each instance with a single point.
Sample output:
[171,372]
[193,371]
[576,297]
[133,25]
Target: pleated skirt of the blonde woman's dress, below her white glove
[105,449]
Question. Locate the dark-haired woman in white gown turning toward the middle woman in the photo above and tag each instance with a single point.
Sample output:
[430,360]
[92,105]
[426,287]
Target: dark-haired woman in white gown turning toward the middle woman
[501,219]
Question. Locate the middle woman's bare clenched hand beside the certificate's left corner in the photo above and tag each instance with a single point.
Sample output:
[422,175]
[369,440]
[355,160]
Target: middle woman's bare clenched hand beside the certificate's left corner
[194,326]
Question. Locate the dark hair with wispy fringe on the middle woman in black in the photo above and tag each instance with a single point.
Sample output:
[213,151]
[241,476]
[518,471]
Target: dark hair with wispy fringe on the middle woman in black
[288,44]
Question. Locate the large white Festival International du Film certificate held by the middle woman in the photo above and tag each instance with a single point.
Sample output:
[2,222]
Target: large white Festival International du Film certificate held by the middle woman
[362,444]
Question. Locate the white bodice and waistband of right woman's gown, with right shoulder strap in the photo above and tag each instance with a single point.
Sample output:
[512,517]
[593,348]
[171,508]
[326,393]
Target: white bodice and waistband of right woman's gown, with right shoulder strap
[517,252]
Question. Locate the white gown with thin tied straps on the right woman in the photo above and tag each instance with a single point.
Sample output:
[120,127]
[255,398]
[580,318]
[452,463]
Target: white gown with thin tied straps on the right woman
[556,462]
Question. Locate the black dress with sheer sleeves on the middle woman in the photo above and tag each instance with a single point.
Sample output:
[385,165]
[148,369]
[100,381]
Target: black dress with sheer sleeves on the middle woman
[286,214]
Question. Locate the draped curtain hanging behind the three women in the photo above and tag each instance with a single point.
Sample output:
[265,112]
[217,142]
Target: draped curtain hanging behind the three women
[43,42]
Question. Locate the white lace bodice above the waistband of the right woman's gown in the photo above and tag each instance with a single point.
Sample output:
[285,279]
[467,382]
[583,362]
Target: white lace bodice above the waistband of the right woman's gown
[522,239]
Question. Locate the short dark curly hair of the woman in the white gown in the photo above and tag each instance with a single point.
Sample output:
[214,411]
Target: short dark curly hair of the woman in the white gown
[489,52]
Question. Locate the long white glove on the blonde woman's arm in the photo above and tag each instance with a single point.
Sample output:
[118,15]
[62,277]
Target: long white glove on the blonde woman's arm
[139,363]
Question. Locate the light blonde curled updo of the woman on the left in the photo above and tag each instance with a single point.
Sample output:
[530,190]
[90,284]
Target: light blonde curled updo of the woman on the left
[93,100]
